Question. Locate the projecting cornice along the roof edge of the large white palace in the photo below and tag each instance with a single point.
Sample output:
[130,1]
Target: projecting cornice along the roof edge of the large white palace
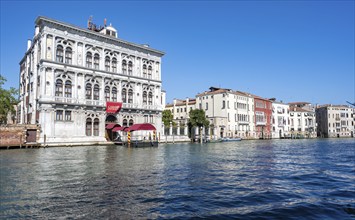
[43,18]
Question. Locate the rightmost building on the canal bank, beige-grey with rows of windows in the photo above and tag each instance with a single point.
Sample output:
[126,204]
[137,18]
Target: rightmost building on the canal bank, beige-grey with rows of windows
[335,121]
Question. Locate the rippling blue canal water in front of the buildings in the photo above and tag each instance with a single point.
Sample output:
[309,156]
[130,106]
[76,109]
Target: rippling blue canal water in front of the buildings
[283,179]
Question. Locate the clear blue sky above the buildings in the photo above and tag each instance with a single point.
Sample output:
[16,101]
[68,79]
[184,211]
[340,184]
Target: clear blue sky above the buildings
[290,50]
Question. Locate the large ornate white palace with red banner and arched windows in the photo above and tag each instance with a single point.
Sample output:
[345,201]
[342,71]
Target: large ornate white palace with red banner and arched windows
[79,83]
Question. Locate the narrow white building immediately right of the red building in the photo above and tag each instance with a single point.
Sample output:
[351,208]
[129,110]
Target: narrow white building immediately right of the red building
[280,119]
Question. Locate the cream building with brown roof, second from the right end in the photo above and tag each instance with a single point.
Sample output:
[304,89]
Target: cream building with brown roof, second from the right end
[302,120]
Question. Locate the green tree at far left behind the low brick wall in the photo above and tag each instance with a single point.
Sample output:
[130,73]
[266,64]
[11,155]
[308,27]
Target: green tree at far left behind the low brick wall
[7,101]
